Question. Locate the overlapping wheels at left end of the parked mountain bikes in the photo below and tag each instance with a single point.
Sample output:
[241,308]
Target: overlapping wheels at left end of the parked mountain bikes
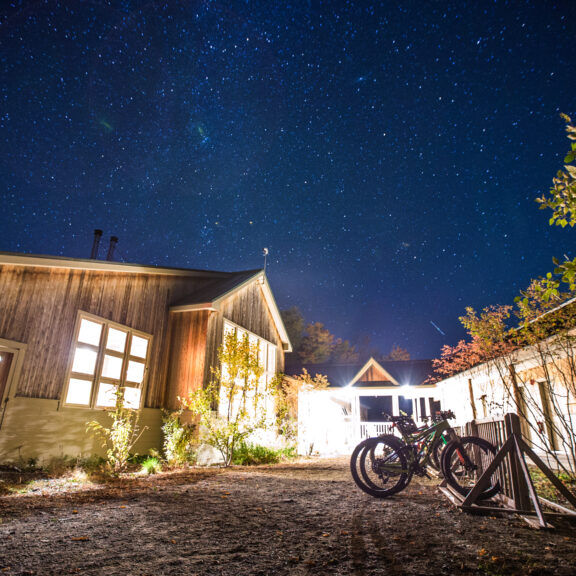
[379,466]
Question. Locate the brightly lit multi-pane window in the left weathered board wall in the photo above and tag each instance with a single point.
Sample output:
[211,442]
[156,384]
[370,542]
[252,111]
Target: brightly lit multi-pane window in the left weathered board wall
[108,359]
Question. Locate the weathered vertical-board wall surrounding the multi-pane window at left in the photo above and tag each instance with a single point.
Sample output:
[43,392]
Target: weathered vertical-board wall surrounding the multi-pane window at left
[39,307]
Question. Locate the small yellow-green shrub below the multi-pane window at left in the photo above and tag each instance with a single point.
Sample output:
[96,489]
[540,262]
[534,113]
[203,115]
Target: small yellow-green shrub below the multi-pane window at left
[120,437]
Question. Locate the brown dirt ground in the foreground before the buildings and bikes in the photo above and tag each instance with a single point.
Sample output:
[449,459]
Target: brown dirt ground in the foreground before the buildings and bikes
[306,517]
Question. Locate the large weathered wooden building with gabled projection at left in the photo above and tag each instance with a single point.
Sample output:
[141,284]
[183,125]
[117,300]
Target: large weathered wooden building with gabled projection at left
[72,331]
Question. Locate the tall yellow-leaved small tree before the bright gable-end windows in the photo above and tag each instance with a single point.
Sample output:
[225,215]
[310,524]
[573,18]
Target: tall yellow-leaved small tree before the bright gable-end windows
[234,405]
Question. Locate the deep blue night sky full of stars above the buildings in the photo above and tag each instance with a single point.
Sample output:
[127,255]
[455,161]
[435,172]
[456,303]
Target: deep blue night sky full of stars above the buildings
[387,154]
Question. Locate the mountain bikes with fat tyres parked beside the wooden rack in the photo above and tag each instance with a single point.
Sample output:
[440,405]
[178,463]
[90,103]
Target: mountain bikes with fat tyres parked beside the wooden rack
[384,465]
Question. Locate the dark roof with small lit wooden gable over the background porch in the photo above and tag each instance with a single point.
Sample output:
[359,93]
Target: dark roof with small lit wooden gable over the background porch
[388,372]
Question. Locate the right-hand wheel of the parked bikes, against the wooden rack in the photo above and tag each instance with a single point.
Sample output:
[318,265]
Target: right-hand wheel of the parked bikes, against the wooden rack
[463,478]
